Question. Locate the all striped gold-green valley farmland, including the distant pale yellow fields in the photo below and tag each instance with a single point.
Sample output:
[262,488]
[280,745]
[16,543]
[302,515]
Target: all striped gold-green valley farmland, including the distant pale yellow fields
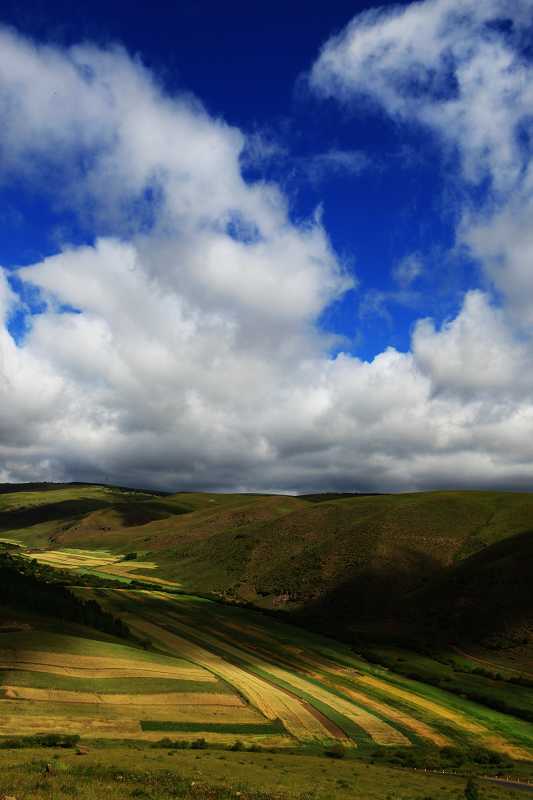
[196,669]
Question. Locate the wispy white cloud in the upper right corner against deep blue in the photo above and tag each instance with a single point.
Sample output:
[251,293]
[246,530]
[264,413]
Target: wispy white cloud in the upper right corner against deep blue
[459,68]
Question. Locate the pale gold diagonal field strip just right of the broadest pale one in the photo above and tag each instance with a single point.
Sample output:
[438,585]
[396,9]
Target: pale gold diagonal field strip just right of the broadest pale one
[378,730]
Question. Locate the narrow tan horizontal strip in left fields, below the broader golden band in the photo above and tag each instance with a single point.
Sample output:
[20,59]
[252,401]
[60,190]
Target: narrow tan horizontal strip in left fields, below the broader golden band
[195,699]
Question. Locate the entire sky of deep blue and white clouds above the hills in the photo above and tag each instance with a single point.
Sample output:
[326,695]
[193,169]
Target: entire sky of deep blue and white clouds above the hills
[257,246]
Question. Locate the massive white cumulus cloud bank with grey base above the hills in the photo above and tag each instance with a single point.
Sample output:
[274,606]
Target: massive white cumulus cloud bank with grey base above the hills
[192,355]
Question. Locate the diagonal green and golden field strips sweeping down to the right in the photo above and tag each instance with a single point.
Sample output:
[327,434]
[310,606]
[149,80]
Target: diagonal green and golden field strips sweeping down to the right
[362,702]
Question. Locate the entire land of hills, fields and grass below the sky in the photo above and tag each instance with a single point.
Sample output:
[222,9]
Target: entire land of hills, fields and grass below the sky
[154,629]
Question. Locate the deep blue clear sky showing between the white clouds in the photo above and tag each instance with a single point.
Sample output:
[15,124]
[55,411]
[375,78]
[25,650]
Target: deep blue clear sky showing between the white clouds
[246,62]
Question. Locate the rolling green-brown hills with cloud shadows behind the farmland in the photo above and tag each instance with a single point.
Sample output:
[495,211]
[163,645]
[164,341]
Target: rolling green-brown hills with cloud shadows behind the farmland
[445,565]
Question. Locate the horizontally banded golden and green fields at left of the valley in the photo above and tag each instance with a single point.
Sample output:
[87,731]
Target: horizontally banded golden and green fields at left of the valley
[101,690]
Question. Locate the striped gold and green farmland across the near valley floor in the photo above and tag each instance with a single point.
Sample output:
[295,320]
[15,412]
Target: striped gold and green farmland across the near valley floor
[222,673]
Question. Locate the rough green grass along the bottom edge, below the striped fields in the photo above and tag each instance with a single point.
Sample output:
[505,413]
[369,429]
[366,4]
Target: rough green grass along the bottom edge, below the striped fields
[218,775]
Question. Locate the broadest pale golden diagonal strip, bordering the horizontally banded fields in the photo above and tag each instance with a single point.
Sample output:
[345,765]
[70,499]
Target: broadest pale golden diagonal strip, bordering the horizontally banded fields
[302,722]
